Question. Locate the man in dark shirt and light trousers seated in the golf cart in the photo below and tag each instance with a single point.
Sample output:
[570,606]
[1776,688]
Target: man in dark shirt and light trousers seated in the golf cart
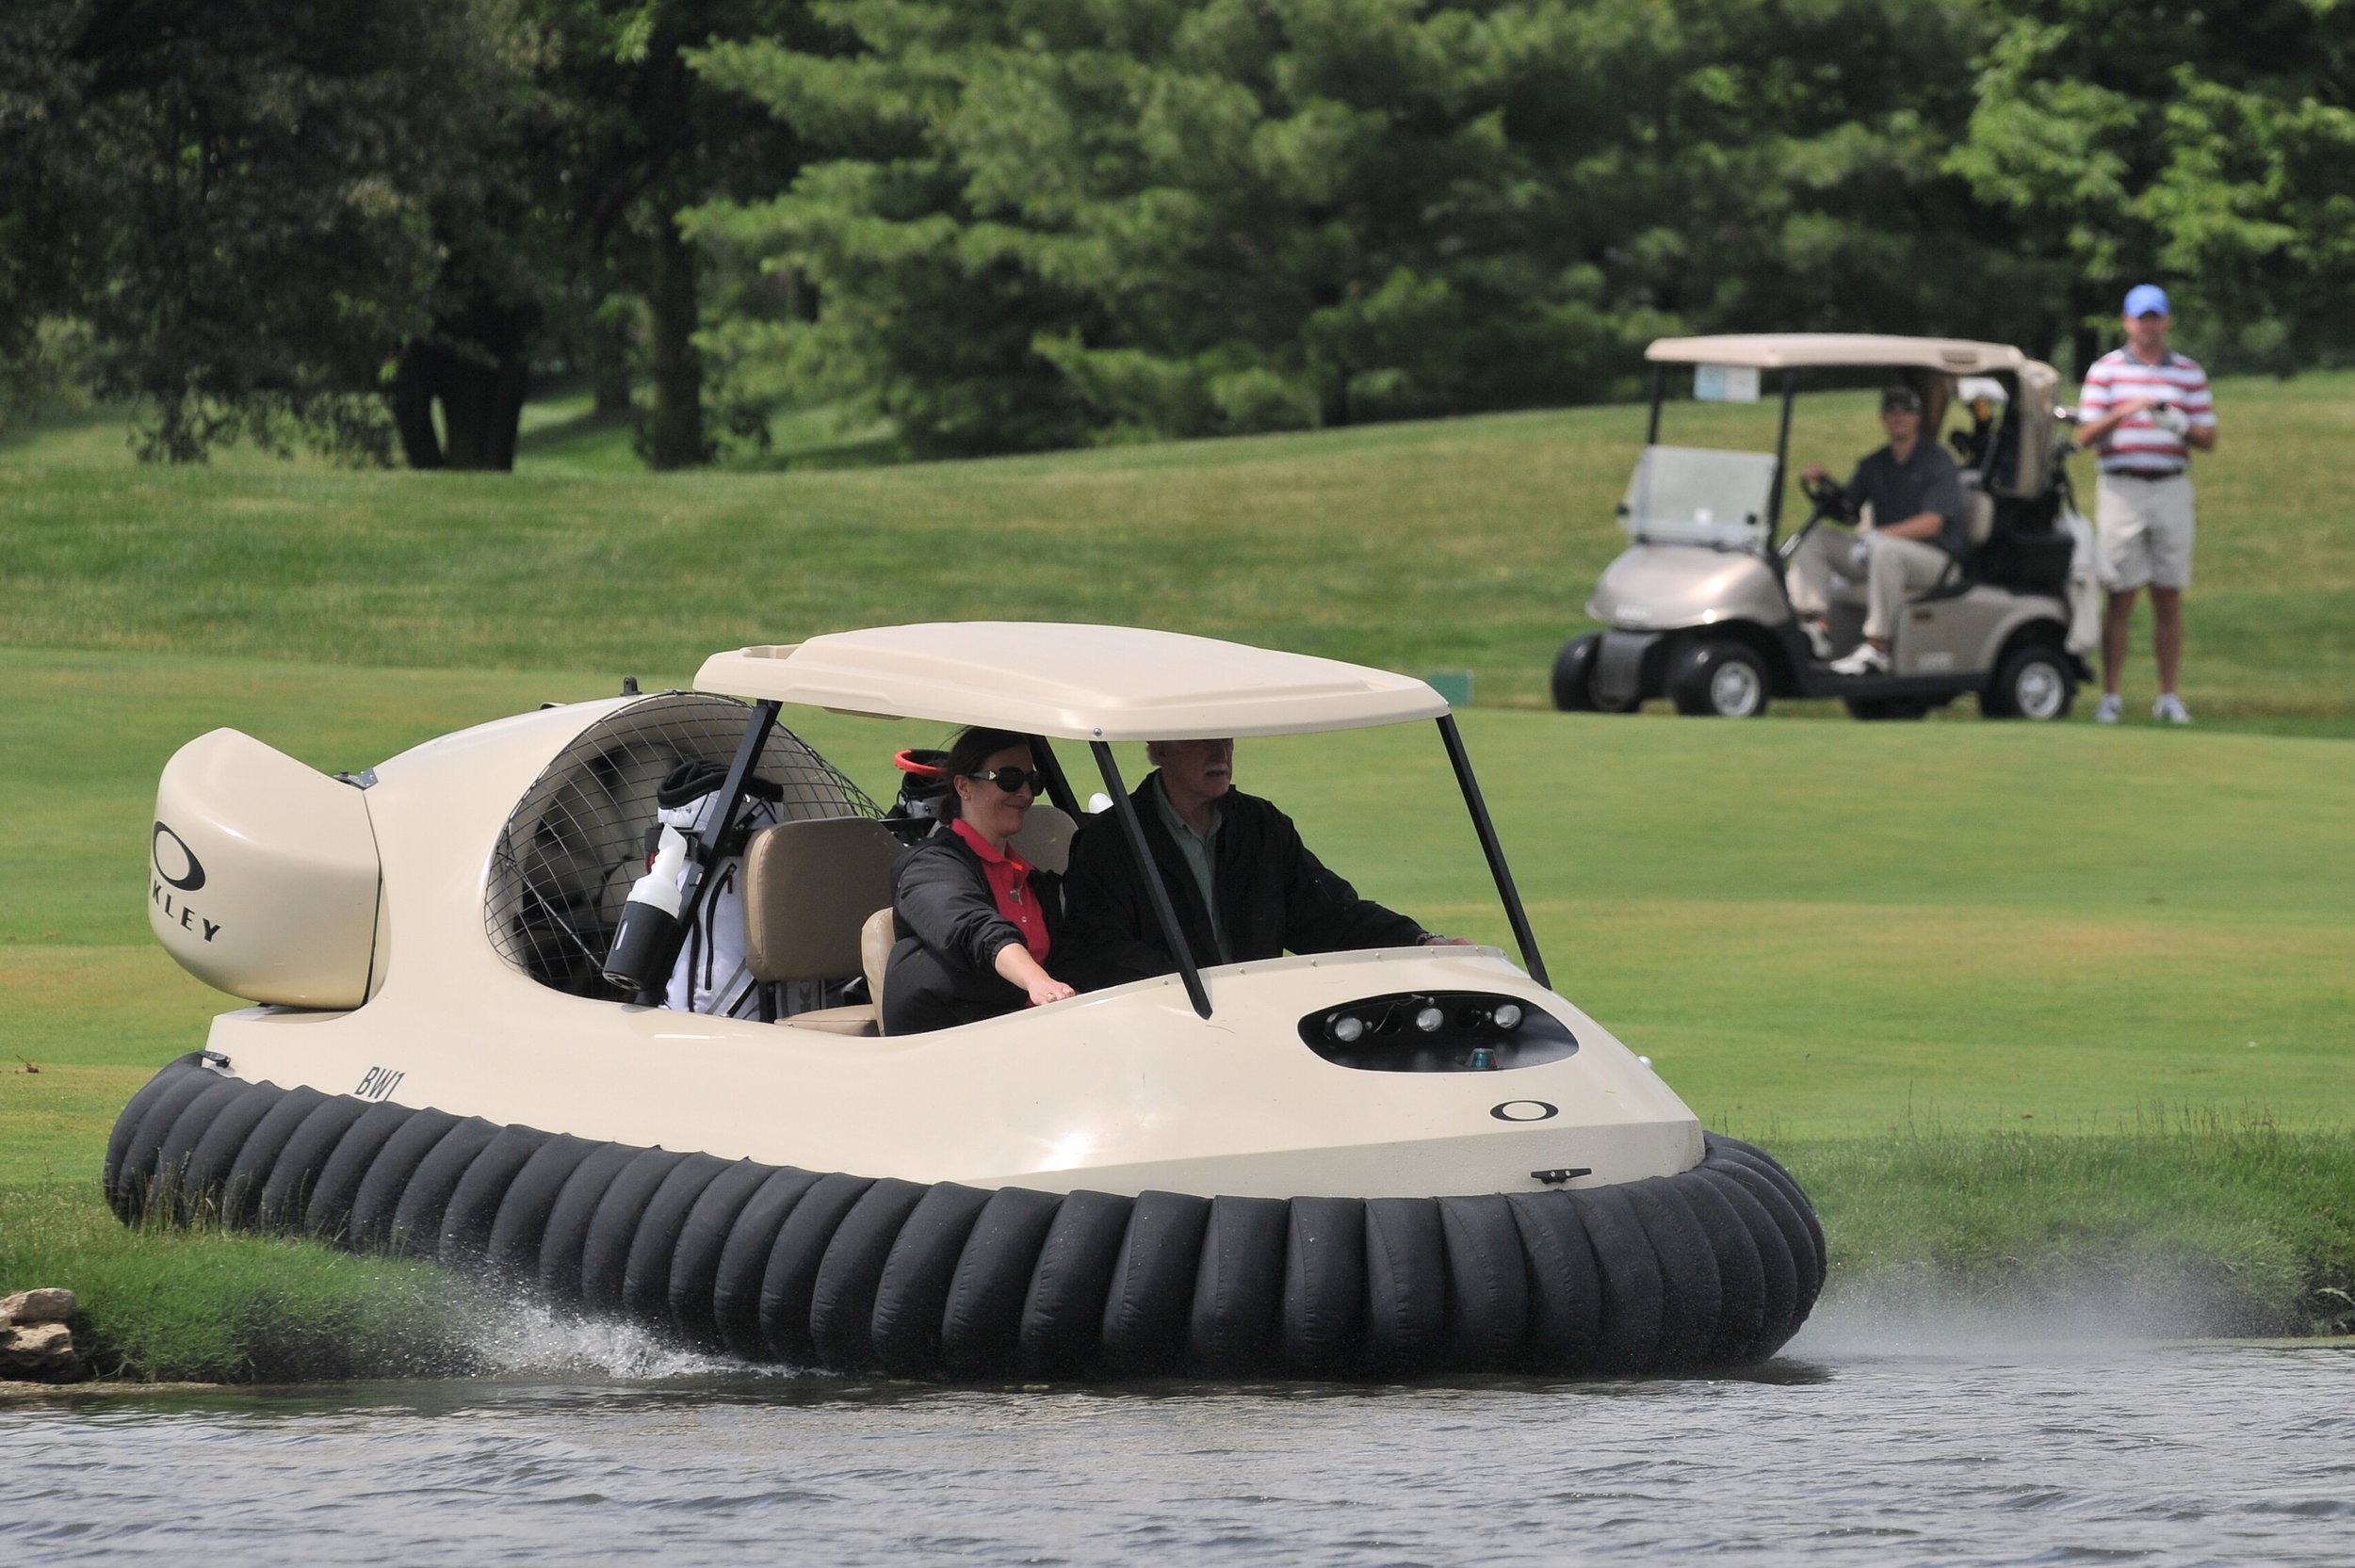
[1916,496]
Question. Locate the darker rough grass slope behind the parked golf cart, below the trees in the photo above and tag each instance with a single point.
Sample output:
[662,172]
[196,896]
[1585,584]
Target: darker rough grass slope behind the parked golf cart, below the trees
[1447,545]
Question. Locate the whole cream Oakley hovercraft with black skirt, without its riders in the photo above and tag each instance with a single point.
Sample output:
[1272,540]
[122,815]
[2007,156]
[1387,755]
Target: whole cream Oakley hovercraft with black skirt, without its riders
[1341,1164]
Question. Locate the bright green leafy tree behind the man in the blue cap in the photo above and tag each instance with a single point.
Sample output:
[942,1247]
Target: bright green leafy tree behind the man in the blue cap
[2208,147]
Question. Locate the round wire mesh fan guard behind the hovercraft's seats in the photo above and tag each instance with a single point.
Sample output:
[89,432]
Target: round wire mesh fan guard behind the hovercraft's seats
[576,844]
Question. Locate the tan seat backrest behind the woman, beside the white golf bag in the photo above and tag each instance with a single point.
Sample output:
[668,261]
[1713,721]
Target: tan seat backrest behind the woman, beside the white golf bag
[807,891]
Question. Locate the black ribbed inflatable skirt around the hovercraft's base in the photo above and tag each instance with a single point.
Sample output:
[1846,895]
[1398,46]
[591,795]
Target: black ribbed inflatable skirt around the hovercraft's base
[870,1275]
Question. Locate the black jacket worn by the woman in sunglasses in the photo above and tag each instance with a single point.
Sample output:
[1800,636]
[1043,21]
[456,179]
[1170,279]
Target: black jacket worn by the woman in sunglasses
[943,969]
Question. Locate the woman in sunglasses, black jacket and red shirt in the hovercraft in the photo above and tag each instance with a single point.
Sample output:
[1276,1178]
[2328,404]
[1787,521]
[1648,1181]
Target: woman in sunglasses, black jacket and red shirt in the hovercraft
[976,922]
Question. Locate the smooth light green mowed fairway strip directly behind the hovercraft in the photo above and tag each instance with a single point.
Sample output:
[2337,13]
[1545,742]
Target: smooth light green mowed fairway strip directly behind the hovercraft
[1815,931]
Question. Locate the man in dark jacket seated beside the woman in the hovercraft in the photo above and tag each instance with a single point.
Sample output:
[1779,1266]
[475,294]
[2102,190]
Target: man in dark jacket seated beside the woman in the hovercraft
[1242,882]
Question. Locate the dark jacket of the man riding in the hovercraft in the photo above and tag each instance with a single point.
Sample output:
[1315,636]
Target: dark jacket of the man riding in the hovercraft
[1273,896]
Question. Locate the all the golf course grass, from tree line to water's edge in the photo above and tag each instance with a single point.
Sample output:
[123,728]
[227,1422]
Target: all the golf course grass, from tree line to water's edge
[2001,995]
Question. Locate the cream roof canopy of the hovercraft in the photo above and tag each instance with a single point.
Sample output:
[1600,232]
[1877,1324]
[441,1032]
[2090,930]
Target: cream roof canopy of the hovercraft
[1073,682]
